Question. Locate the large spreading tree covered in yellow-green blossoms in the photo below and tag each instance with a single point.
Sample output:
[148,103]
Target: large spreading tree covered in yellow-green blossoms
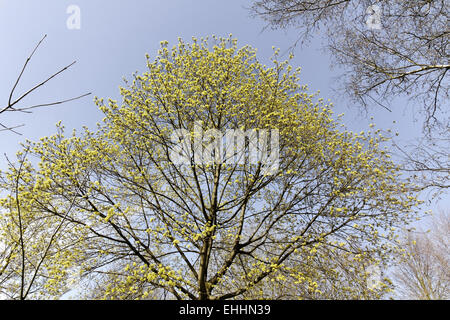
[158,209]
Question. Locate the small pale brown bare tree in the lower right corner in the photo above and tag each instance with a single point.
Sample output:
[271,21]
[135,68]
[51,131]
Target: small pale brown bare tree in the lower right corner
[424,272]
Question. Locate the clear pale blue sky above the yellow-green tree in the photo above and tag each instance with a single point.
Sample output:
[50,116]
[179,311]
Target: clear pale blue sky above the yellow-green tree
[111,44]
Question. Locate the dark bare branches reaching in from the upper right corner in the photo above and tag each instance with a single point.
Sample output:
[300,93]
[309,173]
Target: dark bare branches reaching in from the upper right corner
[407,54]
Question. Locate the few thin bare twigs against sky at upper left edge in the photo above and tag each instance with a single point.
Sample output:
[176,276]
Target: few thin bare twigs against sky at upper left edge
[13,103]
